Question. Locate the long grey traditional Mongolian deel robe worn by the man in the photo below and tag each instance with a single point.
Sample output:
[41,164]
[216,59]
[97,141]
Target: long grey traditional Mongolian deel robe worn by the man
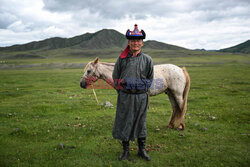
[132,102]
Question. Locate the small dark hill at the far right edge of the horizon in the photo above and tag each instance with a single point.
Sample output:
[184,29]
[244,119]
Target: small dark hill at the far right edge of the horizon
[240,48]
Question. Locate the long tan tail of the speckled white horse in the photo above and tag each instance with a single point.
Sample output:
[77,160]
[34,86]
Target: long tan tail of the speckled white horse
[185,92]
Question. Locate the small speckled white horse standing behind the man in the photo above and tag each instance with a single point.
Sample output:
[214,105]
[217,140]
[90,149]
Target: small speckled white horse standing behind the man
[175,82]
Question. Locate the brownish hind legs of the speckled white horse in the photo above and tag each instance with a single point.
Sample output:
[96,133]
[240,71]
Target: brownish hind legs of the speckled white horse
[176,119]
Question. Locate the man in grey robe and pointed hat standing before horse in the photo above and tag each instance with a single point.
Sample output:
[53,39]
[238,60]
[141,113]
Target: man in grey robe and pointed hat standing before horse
[132,75]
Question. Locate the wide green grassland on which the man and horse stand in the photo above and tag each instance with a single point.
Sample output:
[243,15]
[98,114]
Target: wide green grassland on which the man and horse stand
[46,119]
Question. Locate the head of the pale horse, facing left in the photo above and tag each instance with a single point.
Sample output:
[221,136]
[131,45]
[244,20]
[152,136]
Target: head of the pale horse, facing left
[91,74]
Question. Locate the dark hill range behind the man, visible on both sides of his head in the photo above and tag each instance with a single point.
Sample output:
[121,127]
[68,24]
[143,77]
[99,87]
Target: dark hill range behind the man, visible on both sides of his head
[103,39]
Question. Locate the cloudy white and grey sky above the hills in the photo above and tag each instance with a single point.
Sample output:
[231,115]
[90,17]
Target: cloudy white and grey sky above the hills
[193,24]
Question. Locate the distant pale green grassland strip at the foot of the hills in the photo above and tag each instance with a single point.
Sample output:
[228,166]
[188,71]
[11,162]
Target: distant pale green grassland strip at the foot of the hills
[73,56]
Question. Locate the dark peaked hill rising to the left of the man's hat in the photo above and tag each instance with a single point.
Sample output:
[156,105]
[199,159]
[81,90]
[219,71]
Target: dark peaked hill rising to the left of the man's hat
[98,40]
